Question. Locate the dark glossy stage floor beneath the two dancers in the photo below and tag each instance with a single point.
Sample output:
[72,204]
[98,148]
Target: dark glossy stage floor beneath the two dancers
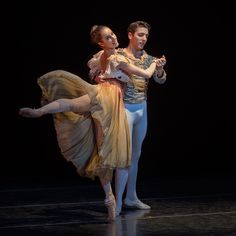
[180,206]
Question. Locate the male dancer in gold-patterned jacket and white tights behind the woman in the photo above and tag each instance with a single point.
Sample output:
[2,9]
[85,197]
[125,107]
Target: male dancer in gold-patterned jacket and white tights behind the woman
[136,109]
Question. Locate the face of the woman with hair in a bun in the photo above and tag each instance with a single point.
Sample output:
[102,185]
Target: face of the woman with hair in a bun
[108,39]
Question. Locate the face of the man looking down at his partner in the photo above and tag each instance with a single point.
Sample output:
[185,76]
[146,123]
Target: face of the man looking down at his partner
[139,38]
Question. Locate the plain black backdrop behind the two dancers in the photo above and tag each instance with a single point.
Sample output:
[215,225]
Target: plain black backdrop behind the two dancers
[191,127]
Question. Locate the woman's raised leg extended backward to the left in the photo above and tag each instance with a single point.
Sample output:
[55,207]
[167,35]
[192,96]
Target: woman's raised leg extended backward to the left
[81,104]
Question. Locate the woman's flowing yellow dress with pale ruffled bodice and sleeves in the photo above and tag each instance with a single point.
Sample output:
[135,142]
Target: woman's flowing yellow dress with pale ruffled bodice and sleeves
[98,141]
